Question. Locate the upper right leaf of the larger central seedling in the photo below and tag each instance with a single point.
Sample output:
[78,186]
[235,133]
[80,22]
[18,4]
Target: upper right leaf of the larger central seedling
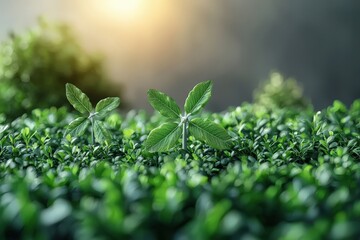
[198,97]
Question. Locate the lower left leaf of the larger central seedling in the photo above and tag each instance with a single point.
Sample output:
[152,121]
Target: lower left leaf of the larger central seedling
[163,138]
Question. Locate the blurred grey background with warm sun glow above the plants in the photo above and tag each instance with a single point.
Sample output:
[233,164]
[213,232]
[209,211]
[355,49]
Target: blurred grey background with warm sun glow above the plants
[172,45]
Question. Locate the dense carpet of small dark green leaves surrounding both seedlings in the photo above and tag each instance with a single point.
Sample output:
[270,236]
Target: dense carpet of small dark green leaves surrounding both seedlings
[290,175]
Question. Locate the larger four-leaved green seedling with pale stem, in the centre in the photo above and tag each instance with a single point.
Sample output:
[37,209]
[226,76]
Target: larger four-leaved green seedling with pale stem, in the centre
[166,136]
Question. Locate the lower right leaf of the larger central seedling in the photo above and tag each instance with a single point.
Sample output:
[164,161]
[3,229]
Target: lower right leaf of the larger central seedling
[209,132]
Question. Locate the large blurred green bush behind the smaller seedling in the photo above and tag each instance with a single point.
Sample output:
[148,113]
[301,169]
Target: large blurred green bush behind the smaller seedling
[36,64]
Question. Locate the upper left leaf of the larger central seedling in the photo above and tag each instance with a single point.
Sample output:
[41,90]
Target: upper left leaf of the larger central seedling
[164,104]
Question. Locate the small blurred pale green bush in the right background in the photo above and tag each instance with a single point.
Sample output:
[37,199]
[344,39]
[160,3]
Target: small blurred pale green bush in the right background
[278,92]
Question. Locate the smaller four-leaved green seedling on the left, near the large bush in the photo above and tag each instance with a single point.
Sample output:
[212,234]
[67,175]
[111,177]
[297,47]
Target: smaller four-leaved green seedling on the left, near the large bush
[92,116]
